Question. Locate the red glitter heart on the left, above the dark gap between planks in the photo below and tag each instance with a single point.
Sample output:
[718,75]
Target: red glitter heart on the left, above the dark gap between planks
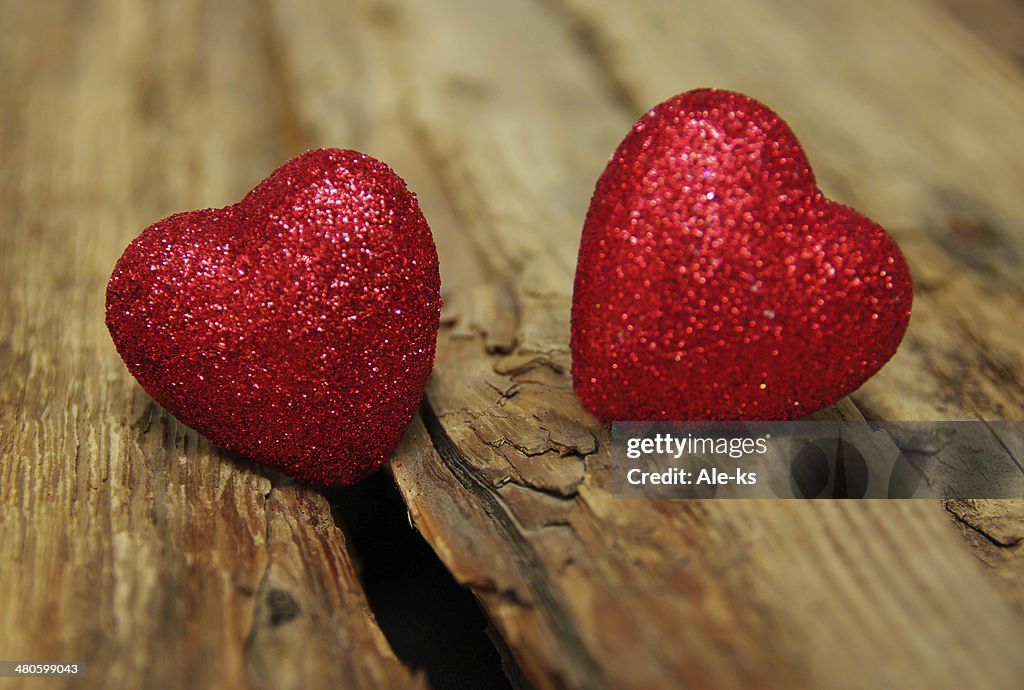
[296,328]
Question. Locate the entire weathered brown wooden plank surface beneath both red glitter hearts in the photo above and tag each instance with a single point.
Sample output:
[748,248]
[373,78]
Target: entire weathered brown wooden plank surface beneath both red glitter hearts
[127,542]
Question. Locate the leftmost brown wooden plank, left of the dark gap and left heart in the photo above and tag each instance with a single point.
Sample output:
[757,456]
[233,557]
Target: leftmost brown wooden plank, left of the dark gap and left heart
[129,543]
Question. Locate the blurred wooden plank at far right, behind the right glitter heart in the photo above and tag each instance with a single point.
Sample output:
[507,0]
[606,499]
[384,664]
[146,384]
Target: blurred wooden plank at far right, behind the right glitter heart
[917,123]
